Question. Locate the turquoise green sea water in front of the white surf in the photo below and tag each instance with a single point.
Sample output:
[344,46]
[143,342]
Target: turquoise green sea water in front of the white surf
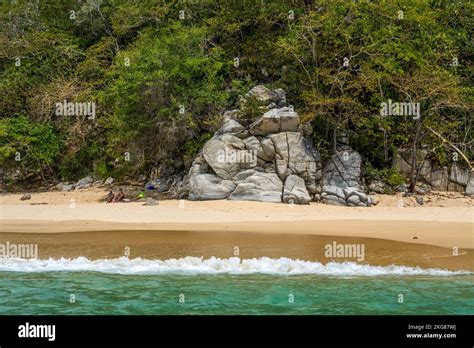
[105,293]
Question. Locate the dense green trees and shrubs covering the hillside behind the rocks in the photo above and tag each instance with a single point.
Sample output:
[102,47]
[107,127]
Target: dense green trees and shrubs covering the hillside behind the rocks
[162,72]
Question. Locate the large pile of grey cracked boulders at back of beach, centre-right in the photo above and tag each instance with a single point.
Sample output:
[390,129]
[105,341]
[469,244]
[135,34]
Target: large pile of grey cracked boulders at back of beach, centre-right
[270,160]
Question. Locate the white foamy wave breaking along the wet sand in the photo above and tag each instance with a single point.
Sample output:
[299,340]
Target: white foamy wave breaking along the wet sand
[213,265]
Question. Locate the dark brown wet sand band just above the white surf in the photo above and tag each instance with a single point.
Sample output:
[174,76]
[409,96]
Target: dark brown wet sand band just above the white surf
[171,244]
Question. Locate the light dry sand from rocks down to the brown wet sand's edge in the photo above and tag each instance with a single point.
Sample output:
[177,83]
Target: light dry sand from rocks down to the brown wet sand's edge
[443,221]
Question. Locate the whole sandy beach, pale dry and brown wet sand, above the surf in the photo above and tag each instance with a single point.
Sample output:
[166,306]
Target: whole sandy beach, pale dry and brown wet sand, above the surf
[409,235]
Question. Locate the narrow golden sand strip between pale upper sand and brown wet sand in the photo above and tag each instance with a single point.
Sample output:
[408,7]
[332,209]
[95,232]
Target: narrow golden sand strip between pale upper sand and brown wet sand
[413,232]
